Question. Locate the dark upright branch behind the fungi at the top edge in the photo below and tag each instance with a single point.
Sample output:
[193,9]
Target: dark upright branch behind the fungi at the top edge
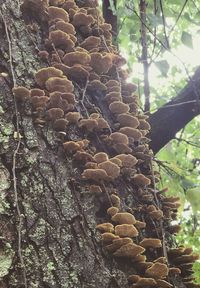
[110,17]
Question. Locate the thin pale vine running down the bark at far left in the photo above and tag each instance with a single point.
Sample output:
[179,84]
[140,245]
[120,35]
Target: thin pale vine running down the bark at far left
[16,199]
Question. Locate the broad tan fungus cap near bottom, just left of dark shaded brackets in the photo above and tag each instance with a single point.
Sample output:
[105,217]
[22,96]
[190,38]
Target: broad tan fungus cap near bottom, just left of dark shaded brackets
[157,271]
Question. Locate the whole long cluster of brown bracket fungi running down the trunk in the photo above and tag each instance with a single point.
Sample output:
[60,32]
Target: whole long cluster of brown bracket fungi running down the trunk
[85,70]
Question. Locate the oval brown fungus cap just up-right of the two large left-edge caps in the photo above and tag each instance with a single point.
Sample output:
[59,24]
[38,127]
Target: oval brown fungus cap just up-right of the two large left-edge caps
[73,58]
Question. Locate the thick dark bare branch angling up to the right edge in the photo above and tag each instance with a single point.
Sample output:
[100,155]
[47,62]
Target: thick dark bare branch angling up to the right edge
[174,115]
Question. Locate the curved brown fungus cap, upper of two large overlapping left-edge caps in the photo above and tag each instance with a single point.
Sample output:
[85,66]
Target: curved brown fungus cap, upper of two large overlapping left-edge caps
[45,73]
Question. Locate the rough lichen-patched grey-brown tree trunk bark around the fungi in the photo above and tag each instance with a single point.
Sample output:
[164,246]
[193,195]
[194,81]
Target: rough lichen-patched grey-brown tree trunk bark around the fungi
[48,215]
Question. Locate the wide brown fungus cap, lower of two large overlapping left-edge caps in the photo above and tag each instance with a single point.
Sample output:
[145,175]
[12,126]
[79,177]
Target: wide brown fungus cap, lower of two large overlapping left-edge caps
[59,84]
